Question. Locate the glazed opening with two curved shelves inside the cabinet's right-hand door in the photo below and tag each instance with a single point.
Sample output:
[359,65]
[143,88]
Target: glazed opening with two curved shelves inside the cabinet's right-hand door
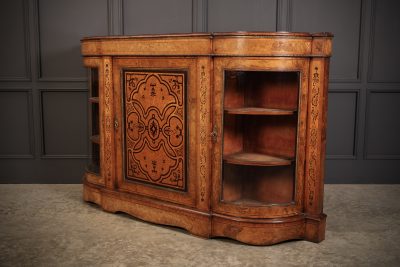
[260,133]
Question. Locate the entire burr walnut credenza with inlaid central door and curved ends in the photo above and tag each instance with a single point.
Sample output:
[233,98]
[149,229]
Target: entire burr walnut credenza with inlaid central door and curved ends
[221,134]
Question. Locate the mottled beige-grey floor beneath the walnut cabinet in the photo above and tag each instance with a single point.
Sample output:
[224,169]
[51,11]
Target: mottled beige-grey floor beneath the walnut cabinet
[50,225]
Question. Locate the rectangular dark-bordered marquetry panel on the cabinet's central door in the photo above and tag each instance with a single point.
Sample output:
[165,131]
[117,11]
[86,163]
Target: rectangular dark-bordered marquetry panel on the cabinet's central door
[155,129]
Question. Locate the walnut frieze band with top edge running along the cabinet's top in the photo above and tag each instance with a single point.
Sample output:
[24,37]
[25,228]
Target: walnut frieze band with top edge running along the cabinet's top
[211,44]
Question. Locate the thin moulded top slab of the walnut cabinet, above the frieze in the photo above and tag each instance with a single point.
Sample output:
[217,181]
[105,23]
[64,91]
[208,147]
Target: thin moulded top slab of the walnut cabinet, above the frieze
[212,35]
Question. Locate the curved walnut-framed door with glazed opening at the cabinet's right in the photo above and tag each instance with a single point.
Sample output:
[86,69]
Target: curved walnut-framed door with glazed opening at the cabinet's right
[259,119]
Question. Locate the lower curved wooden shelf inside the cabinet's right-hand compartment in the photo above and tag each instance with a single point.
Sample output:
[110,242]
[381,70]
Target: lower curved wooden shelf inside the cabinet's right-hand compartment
[256,159]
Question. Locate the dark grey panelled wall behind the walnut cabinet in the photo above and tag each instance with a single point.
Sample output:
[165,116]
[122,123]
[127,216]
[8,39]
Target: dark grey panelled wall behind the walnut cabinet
[43,88]
